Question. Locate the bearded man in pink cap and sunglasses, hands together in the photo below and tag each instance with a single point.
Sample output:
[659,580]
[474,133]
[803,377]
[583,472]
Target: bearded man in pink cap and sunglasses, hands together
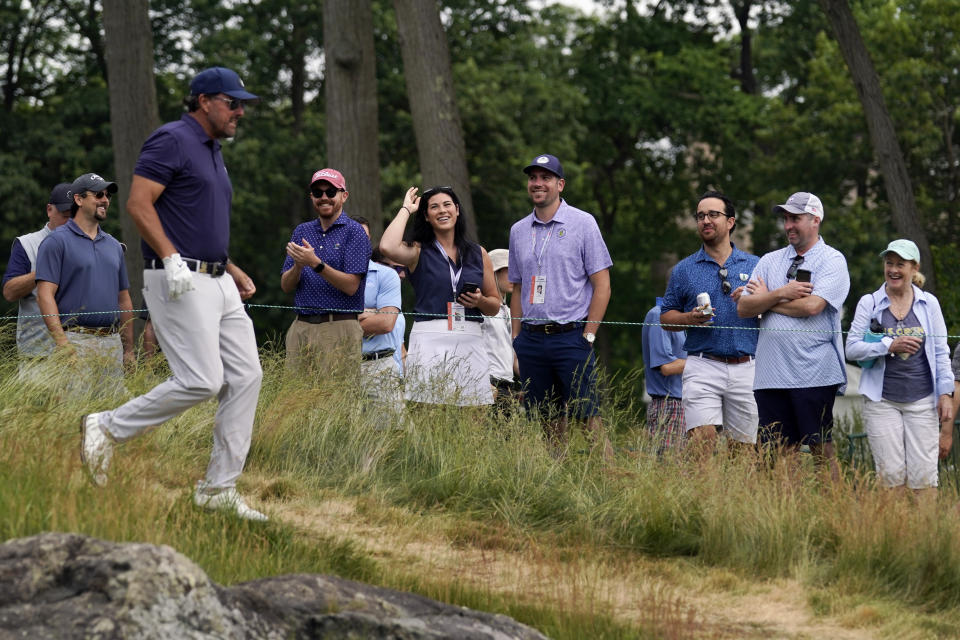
[325,268]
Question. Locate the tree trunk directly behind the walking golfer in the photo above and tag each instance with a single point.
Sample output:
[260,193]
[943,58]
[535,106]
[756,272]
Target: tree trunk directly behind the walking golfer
[133,111]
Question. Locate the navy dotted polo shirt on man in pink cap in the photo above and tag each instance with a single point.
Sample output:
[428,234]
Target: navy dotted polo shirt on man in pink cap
[345,247]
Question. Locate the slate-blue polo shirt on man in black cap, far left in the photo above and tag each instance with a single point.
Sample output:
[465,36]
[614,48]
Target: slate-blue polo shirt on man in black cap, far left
[88,273]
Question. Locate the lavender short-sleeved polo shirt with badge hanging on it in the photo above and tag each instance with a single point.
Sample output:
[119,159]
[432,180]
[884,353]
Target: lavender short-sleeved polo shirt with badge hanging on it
[570,249]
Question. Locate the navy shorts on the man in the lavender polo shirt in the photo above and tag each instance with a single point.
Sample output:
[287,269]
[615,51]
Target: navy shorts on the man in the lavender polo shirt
[559,372]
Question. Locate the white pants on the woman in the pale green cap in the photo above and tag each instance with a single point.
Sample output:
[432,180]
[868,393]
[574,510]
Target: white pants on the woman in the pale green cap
[904,440]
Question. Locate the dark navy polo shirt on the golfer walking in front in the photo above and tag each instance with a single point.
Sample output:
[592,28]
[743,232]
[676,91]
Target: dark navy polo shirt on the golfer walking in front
[194,207]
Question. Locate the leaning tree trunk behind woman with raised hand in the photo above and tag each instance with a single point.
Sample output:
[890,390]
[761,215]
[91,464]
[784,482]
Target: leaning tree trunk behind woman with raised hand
[436,118]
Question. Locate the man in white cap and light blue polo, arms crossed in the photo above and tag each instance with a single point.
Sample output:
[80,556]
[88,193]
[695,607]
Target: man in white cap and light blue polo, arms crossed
[799,289]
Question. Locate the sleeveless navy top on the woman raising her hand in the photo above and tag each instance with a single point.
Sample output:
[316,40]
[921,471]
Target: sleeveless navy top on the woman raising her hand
[432,282]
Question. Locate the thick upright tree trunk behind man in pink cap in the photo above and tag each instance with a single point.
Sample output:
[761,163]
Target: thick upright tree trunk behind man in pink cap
[350,91]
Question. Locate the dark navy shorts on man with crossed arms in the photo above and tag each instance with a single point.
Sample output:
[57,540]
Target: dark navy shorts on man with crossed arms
[796,416]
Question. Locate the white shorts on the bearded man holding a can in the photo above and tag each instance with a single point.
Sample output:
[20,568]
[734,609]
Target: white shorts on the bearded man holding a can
[720,394]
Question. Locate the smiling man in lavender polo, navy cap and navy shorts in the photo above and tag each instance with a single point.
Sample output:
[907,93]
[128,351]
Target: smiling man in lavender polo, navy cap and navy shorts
[560,270]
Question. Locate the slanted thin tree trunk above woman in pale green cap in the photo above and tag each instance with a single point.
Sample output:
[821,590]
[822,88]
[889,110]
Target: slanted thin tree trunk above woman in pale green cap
[883,135]
